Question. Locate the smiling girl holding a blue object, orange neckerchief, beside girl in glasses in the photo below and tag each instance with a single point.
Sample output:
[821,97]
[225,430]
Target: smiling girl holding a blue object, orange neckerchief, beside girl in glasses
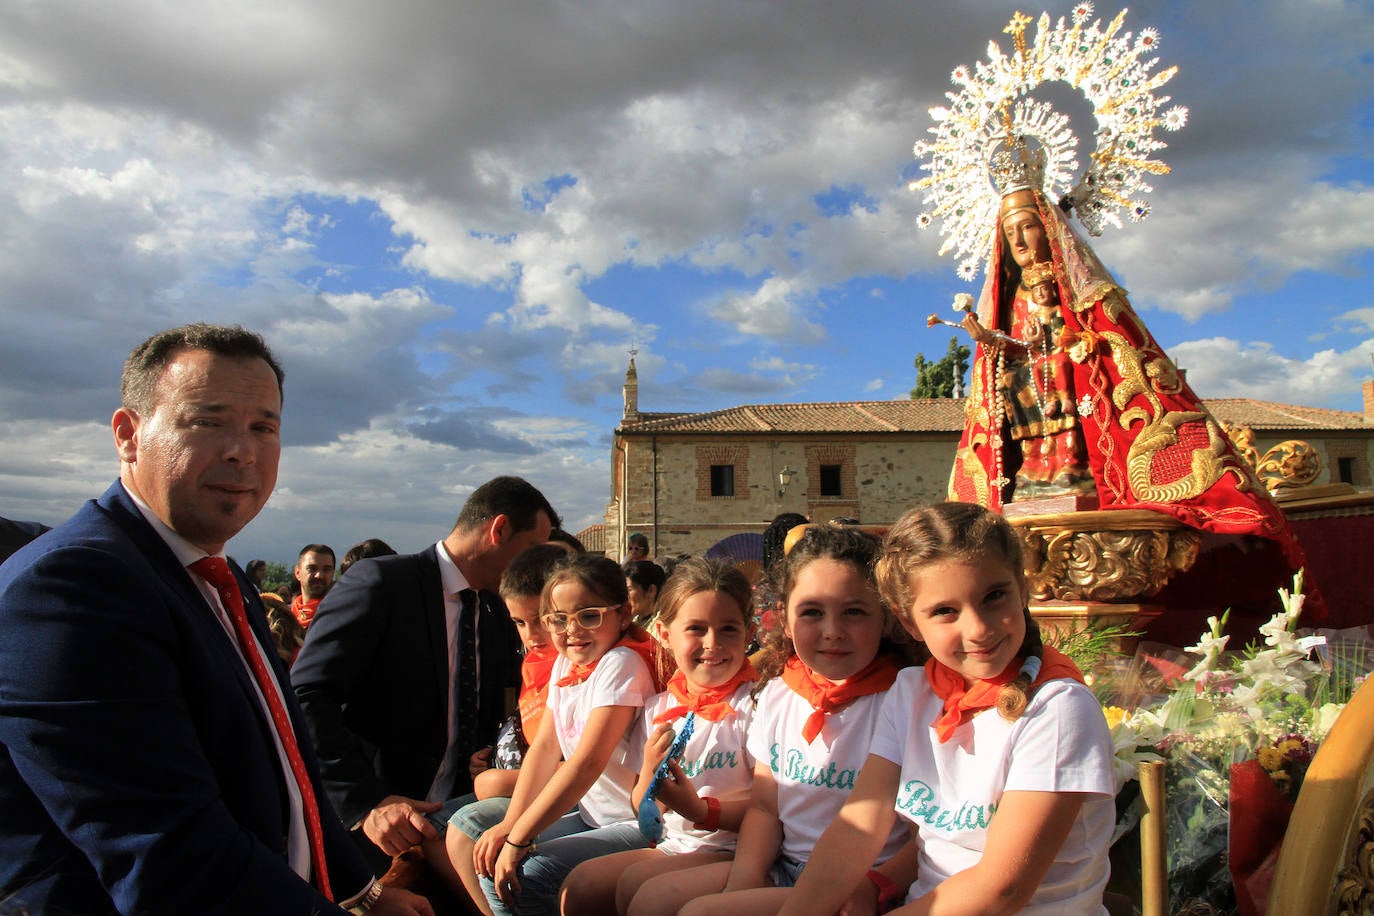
[704,623]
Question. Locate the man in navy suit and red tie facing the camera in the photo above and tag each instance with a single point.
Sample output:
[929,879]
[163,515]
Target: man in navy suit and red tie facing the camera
[149,760]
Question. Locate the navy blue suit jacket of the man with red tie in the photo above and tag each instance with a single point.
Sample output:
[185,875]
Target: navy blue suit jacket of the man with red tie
[138,772]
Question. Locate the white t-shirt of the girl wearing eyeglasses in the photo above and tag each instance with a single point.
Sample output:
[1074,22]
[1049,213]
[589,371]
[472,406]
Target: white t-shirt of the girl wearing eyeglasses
[622,679]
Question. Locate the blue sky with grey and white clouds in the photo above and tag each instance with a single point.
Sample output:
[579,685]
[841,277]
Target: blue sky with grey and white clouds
[454,219]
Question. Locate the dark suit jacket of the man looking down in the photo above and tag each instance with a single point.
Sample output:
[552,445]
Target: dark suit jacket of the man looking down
[373,680]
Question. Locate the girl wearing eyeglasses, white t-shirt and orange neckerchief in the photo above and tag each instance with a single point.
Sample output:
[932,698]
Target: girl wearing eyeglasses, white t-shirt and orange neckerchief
[597,691]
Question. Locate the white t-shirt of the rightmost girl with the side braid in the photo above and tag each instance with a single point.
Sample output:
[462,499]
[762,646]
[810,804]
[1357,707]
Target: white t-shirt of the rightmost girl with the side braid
[951,792]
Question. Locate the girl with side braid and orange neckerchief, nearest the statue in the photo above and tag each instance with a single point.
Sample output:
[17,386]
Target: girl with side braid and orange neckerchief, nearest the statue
[1013,808]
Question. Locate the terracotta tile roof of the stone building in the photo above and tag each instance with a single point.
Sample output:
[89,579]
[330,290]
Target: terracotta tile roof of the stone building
[945,415]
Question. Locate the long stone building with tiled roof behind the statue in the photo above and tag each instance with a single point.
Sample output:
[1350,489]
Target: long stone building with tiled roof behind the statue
[688,481]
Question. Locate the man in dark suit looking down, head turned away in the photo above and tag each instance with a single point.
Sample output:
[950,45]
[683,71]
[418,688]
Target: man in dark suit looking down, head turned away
[385,652]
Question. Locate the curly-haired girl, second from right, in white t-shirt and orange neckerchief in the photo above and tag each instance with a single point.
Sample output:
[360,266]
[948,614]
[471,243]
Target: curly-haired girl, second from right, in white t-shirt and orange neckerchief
[835,653]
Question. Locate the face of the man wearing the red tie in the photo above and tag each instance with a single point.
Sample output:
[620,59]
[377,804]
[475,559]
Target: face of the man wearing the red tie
[205,458]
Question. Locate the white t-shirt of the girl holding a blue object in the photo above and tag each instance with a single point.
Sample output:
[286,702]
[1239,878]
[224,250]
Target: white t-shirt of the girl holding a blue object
[718,764]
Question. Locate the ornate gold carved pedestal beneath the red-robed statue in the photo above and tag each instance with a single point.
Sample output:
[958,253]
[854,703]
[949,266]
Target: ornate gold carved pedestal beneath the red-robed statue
[1092,560]
